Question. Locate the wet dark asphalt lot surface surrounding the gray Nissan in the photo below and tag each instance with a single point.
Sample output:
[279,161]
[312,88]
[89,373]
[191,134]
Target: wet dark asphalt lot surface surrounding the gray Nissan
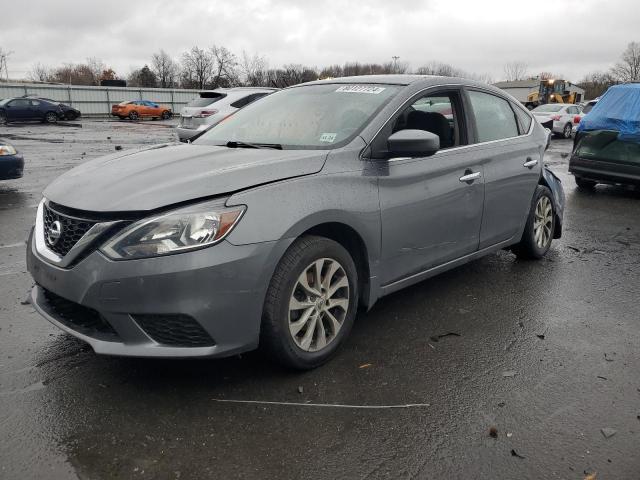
[543,354]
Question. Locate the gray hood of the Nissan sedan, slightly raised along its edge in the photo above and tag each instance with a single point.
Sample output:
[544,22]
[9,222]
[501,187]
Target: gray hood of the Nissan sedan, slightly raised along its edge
[163,175]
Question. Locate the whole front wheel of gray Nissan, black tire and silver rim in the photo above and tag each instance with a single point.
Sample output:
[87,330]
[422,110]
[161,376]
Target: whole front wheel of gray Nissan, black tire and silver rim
[311,303]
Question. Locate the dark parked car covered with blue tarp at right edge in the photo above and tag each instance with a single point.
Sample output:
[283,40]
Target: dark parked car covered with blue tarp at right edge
[607,143]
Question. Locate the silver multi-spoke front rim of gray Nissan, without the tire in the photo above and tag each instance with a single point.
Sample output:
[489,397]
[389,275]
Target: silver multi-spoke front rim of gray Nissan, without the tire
[318,304]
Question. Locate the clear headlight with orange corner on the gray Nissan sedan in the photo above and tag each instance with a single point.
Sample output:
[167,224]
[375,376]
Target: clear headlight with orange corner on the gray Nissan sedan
[190,228]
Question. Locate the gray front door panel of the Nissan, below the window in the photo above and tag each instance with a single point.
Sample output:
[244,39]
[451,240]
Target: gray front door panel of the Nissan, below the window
[428,215]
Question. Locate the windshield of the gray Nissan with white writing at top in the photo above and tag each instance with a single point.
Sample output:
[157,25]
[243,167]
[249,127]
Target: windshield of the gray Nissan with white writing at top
[316,116]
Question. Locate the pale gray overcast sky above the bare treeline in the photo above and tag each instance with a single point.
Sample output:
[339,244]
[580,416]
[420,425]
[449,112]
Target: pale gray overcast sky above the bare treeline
[570,37]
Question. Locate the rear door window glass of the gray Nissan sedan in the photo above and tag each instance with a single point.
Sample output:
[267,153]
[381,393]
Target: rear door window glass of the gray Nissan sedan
[494,118]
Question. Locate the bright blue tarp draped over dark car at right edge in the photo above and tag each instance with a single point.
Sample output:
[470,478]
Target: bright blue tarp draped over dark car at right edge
[618,109]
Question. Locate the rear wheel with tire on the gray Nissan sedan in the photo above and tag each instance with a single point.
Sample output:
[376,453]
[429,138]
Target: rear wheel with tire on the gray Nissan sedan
[540,227]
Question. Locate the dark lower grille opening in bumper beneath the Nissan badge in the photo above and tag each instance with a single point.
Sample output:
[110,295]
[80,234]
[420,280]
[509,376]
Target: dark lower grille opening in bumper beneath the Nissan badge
[82,319]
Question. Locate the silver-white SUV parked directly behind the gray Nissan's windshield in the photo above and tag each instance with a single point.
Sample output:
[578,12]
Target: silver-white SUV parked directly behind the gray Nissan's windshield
[212,106]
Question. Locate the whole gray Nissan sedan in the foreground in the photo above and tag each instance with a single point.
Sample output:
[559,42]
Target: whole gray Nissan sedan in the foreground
[277,225]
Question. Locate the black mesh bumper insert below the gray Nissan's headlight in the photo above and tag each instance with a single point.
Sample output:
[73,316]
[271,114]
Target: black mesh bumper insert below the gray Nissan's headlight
[174,330]
